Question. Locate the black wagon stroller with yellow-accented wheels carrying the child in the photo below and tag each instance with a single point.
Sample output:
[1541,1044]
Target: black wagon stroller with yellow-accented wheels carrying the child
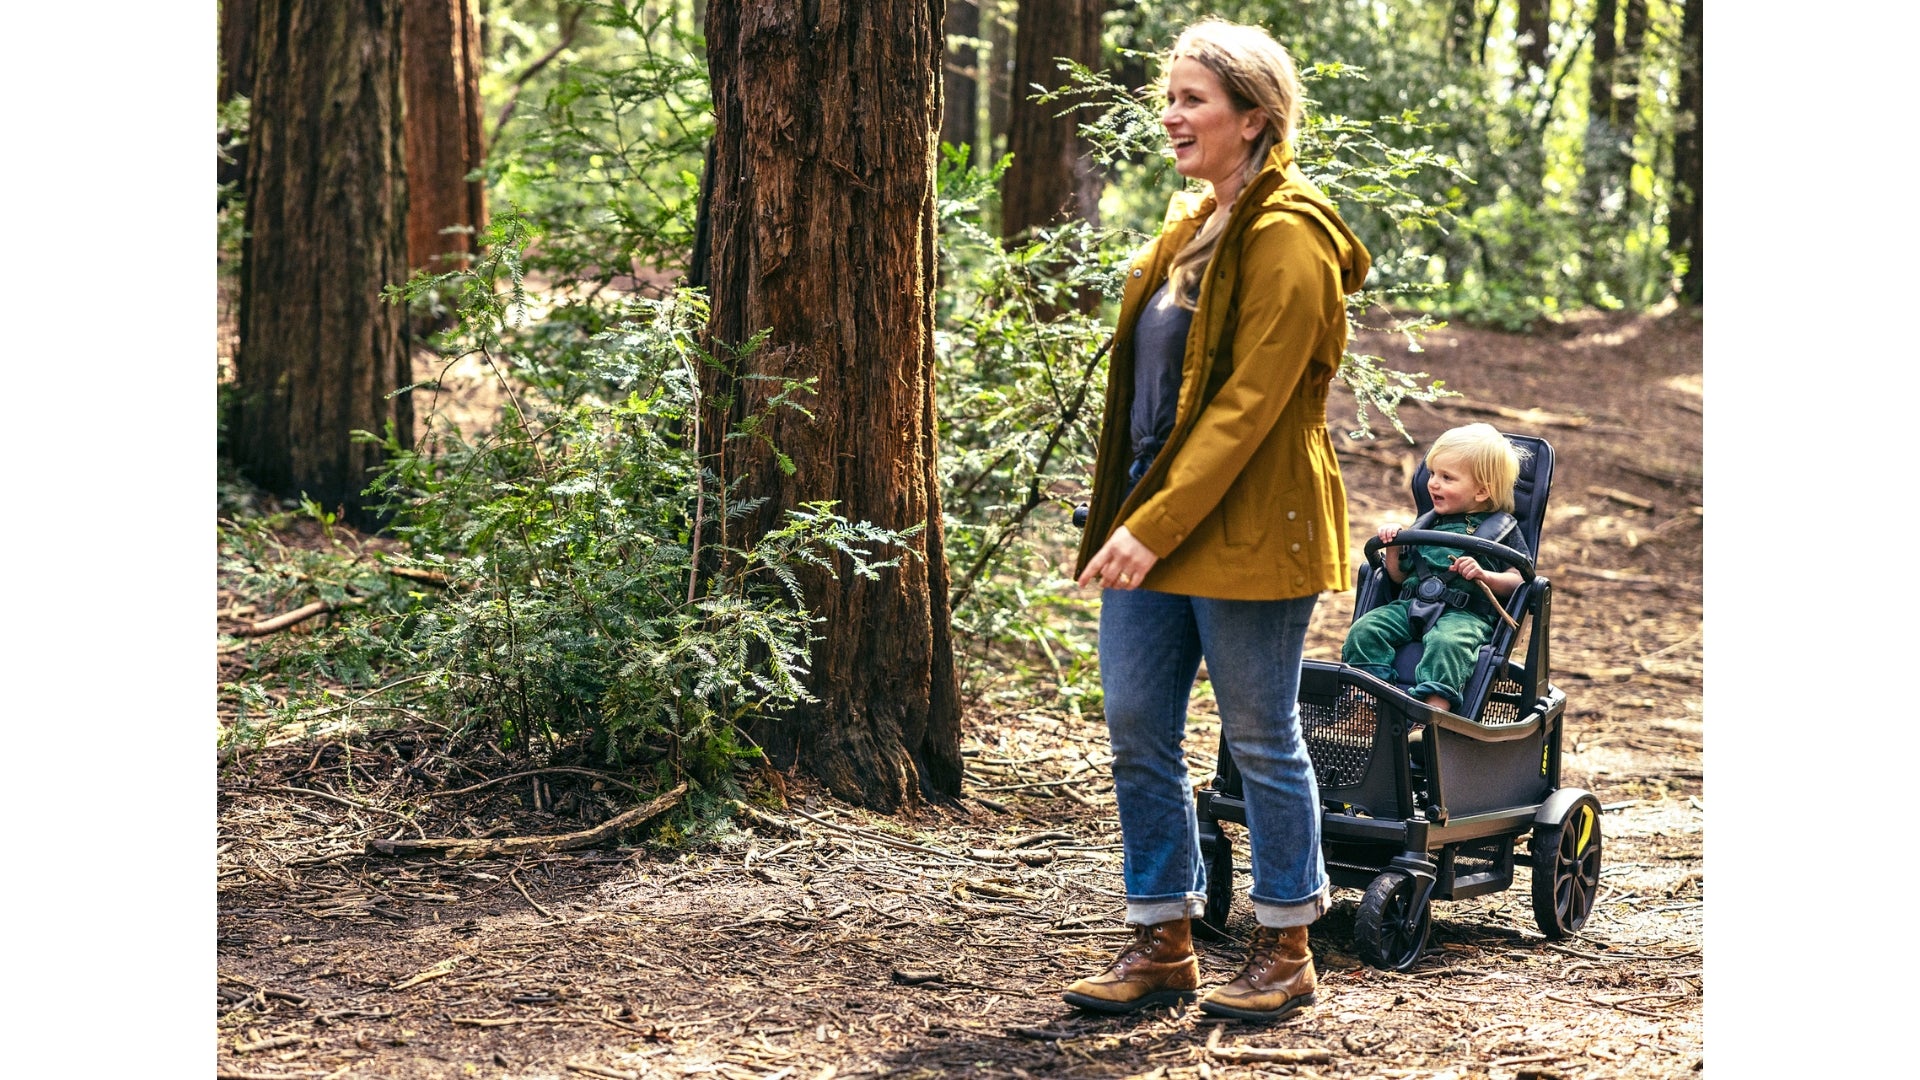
[1420,804]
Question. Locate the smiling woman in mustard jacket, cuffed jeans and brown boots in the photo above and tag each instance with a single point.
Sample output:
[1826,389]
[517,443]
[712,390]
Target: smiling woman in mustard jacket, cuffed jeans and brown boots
[1218,516]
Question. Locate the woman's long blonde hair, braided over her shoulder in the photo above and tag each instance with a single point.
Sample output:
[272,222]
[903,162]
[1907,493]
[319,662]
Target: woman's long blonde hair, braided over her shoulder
[1259,74]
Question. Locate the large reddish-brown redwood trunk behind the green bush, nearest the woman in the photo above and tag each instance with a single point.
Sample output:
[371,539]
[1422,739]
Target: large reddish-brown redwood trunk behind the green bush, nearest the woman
[823,237]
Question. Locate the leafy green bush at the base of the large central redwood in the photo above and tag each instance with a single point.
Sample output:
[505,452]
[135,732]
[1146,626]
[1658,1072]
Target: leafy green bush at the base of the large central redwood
[569,543]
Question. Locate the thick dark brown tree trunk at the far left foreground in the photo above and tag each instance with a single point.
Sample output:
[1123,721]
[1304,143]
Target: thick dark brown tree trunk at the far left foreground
[320,351]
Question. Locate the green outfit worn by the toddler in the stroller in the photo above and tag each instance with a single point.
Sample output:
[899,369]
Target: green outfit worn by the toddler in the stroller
[1456,637]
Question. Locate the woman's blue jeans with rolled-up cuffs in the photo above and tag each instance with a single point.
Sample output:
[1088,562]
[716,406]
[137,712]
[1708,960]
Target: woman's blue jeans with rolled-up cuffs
[1151,649]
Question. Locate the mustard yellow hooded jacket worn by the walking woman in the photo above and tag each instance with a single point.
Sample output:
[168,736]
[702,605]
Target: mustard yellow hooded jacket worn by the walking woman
[1245,501]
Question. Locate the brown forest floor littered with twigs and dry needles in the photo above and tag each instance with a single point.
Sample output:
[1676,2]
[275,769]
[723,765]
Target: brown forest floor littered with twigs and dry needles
[821,941]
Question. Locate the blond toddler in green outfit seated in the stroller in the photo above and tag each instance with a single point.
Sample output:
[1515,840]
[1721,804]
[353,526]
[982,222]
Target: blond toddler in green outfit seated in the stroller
[1472,478]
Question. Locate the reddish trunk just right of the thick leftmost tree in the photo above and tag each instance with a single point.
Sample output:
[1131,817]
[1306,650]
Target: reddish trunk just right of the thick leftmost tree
[444,143]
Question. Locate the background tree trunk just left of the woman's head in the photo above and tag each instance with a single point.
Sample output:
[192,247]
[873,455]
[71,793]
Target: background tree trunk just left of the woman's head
[1051,176]
